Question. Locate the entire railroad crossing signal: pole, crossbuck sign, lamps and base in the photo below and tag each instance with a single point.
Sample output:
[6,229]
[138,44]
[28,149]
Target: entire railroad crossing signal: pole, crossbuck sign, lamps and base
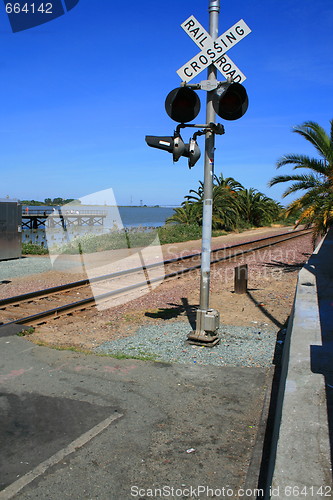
[228,100]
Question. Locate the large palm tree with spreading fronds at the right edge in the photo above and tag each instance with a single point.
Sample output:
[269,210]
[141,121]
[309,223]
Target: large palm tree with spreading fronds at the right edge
[316,204]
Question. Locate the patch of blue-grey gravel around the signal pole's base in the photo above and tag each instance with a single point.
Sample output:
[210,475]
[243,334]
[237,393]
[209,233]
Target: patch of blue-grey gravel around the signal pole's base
[239,345]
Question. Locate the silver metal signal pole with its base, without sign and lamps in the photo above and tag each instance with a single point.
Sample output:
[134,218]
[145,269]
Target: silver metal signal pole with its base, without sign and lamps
[207,320]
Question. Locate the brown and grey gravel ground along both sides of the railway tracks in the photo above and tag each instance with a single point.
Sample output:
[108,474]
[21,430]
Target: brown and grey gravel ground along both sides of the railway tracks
[156,324]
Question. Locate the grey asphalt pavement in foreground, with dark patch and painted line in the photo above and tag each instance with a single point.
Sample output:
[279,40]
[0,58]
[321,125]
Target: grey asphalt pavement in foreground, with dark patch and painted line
[94,427]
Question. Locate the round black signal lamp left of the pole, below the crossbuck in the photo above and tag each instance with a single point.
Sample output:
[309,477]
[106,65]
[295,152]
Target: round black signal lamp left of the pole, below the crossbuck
[182,104]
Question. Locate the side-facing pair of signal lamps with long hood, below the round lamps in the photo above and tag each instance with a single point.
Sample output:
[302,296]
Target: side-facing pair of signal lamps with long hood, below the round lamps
[176,146]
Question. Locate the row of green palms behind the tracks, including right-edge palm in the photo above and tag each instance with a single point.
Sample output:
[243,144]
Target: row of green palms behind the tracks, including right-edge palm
[235,207]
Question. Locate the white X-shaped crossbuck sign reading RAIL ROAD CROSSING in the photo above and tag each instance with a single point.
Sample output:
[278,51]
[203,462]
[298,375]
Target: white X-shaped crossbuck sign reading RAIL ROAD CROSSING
[213,51]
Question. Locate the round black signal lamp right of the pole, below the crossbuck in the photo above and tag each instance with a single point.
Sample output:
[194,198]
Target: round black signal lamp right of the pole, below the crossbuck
[230,102]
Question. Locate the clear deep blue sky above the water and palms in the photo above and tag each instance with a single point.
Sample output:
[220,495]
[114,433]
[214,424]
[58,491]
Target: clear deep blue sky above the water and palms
[80,93]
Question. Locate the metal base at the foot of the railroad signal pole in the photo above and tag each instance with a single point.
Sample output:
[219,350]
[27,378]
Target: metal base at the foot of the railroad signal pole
[207,323]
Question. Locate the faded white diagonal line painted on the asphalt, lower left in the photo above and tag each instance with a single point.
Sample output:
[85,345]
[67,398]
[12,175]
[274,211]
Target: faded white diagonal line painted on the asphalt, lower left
[18,485]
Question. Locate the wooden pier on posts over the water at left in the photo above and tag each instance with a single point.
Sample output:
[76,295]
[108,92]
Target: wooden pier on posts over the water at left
[38,219]
